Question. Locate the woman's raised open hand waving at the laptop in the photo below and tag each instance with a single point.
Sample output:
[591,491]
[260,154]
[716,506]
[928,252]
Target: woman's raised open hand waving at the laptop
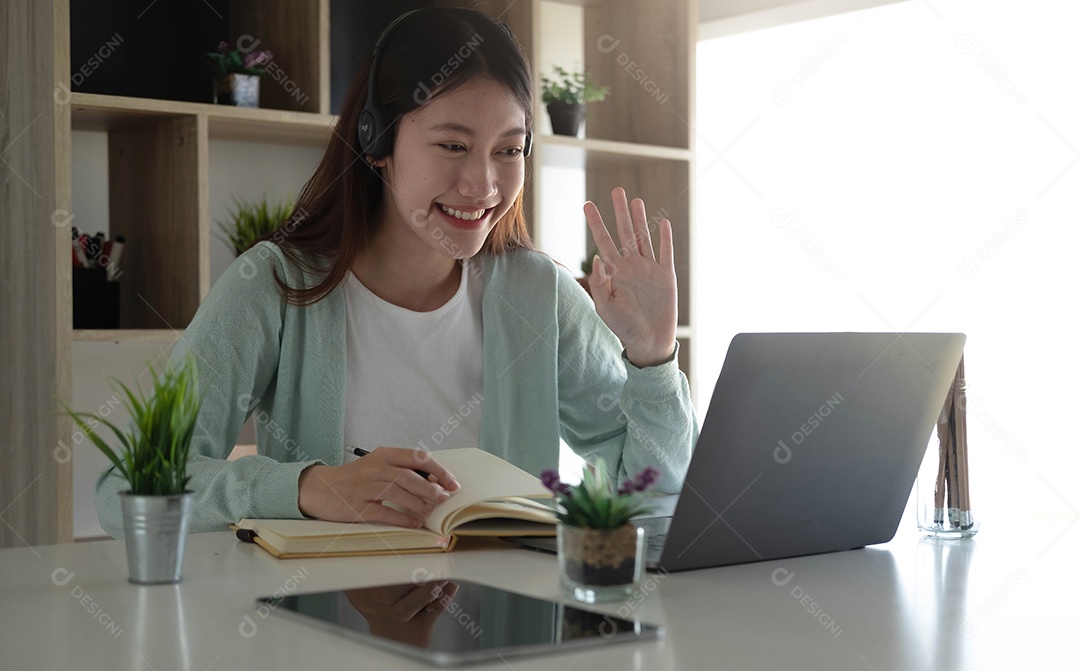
[636,293]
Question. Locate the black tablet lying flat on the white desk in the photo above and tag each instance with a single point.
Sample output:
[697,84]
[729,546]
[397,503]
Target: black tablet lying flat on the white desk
[449,623]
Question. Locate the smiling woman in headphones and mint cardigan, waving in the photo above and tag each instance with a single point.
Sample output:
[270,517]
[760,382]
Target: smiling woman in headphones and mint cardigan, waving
[403,310]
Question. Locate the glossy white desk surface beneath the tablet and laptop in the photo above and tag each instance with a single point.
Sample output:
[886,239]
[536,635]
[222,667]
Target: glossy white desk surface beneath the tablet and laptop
[1002,601]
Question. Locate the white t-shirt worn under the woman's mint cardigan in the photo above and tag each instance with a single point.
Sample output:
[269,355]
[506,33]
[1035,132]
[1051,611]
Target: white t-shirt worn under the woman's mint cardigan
[414,380]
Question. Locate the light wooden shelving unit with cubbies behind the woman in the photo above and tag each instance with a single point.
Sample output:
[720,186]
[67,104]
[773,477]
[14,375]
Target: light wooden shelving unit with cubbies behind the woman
[159,186]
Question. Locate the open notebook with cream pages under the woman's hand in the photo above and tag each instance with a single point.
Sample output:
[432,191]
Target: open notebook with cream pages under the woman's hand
[492,502]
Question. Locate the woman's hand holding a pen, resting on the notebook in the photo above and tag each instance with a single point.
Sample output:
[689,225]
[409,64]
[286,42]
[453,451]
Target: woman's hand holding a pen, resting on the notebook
[355,492]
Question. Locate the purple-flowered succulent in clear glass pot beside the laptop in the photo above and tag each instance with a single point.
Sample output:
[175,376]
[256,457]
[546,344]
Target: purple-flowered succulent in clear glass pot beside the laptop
[601,554]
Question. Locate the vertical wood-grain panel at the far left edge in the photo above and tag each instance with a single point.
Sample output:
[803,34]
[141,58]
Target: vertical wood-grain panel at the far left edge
[36,287]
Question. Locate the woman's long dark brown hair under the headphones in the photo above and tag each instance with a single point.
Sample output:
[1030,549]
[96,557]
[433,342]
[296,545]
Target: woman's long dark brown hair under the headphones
[335,213]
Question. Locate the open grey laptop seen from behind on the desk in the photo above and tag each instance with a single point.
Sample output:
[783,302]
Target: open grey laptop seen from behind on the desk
[812,445]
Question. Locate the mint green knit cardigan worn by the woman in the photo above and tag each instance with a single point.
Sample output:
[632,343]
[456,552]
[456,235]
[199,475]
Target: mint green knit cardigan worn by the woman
[551,369]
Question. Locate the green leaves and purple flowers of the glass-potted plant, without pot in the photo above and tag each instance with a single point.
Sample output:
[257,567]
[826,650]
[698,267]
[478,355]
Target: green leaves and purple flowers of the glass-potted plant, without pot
[596,504]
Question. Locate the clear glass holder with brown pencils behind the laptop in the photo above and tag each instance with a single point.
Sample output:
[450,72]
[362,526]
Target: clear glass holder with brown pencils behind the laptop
[943,493]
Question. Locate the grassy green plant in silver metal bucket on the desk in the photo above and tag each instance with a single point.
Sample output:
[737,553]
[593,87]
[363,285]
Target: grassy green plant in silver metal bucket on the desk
[153,458]
